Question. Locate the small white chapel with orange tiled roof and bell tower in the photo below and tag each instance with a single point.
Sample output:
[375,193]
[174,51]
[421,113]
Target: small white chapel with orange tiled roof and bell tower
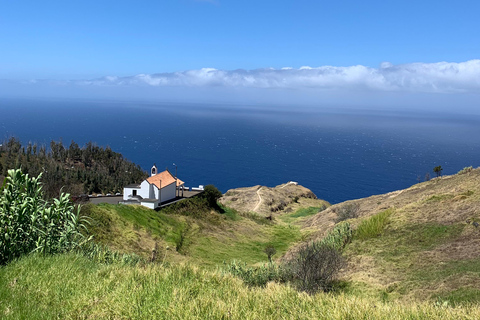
[158,188]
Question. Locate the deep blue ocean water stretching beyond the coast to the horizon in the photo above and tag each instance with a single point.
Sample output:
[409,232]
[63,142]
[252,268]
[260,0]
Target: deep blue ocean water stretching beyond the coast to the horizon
[339,154]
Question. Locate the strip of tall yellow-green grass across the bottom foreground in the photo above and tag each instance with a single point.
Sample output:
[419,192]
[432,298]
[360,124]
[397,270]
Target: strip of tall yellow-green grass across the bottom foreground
[72,287]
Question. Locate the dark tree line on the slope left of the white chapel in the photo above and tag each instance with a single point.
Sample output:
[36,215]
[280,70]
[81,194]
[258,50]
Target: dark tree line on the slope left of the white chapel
[74,169]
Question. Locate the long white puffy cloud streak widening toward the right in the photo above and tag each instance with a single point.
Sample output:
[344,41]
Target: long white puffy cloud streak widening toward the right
[441,77]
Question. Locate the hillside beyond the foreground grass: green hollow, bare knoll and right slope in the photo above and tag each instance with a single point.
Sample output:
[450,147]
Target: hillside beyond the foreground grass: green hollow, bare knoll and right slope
[427,249]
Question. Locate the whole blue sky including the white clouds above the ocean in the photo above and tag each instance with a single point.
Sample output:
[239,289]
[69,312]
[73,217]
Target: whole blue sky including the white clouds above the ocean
[243,51]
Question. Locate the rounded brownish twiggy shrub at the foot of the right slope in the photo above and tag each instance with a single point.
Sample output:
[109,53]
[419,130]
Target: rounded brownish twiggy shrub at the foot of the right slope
[315,267]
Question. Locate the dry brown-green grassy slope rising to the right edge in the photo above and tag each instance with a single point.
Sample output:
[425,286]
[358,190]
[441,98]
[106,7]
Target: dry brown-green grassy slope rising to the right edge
[428,248]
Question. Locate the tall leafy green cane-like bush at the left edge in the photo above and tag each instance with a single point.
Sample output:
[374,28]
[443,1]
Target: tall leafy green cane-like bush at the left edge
[30,224]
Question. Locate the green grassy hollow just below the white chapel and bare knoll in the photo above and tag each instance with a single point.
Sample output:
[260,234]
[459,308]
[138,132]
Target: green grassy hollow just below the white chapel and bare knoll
[208,240]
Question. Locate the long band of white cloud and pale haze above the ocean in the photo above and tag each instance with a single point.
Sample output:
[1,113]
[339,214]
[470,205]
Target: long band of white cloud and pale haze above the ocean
[444,85]
